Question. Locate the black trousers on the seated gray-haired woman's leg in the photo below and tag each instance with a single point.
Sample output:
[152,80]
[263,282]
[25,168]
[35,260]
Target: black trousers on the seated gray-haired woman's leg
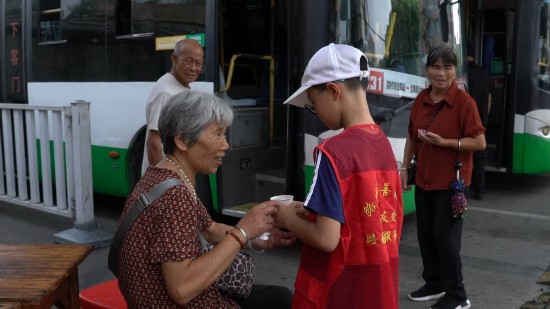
[266,297]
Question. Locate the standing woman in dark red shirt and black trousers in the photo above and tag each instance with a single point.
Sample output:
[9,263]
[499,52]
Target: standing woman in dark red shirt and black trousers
[444,126]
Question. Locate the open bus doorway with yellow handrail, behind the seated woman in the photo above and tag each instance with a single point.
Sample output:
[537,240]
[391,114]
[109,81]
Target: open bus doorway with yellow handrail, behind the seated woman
[252,78]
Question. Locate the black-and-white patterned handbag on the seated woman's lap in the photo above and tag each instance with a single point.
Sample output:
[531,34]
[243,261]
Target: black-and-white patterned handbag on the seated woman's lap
[238,279]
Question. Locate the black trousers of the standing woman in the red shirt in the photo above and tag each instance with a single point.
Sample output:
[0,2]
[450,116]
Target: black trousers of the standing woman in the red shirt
[439,237]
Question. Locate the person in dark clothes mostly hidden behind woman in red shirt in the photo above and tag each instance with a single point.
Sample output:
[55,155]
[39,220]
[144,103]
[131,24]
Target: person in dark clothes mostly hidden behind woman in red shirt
[478,87]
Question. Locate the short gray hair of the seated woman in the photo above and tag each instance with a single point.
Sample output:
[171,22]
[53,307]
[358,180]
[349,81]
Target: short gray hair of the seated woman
[188,114]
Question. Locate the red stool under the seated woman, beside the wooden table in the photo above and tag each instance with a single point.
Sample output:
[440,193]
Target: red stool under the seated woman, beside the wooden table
[105,295]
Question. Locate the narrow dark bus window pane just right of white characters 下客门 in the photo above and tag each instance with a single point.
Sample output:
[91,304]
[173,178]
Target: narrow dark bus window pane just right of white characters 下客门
[50,21]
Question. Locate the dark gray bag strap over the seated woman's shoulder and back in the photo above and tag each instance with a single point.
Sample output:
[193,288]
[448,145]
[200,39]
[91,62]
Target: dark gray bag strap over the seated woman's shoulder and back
[143,202]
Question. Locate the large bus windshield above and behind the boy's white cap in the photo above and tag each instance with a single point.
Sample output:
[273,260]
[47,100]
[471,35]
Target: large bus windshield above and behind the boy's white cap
[394,35]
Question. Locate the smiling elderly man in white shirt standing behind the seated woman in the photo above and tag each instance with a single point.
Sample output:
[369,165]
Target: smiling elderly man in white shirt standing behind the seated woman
[187,62]
